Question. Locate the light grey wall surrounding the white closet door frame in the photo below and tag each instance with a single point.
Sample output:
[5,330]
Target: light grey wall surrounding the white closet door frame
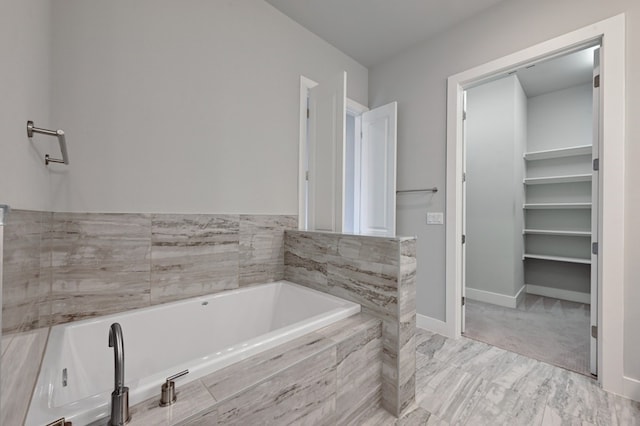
[417,80]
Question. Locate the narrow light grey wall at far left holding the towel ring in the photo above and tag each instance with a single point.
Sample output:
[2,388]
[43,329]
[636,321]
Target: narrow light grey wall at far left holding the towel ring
[24,95]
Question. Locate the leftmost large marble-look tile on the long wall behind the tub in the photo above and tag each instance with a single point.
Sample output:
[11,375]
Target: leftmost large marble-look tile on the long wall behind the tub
[99,264]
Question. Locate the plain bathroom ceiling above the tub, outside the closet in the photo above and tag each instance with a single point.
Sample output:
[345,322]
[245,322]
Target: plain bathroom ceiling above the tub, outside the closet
[371,31]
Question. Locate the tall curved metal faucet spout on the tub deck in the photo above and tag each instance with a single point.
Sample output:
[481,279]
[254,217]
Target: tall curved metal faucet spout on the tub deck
[120,395]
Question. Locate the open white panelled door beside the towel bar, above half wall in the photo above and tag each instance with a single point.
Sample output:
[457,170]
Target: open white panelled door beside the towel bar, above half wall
[378,171]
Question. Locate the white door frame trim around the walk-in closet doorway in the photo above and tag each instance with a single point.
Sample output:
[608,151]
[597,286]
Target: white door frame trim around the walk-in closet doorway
[611,33]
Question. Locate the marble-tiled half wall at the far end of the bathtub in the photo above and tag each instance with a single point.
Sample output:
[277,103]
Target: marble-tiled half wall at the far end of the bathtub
[379,274]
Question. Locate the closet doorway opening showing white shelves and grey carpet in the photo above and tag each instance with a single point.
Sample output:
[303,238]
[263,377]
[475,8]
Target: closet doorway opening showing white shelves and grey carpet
[530,210]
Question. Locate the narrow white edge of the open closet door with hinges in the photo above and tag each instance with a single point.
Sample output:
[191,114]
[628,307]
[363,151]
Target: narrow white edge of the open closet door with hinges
[594,213]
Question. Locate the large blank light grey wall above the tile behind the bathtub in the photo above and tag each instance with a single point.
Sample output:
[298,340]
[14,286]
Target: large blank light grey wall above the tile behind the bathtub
[187,106]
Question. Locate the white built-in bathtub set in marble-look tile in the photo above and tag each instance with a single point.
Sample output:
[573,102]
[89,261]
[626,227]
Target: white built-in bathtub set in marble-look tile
[202,334]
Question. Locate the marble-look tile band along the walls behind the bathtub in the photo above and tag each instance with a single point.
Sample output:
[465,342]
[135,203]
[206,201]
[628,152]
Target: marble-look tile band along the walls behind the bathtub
[62,267]
